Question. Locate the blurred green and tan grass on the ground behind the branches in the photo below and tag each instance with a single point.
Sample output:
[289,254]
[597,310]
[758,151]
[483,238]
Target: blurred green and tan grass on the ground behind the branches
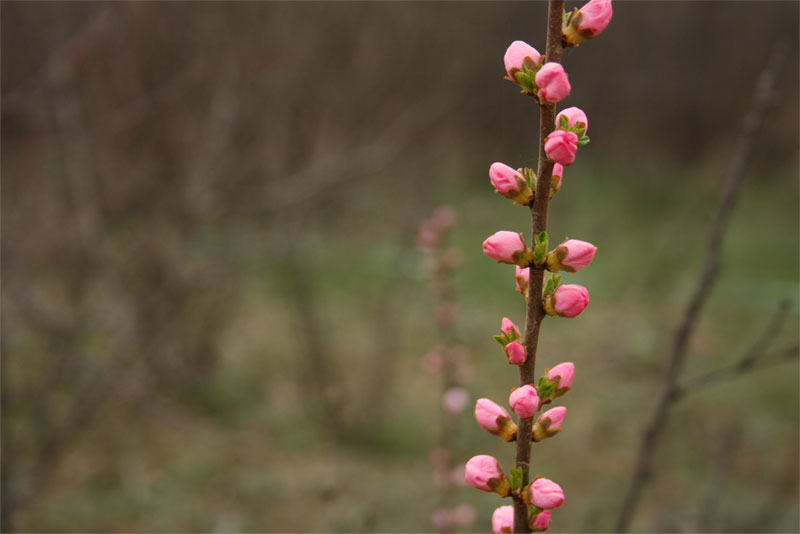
[248,457]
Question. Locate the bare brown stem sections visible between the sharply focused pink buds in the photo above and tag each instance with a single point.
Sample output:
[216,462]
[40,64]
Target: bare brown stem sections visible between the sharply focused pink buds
[534,312]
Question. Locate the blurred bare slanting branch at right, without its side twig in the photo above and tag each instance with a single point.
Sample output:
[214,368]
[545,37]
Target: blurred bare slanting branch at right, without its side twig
[736,172]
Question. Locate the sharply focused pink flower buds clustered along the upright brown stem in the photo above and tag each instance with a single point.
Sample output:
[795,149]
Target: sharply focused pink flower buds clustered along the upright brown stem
[548,83]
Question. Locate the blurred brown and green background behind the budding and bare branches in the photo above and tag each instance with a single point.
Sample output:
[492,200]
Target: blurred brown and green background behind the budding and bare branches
[214,312]
